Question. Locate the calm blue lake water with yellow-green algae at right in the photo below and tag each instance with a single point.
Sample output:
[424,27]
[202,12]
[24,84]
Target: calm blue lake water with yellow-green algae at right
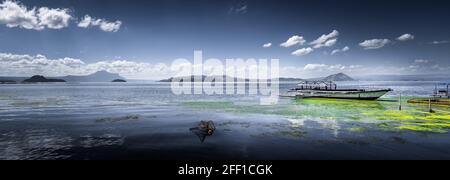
[147,121]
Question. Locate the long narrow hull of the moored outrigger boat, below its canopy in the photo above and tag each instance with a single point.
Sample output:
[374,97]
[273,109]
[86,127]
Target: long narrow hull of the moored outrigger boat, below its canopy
[362,95]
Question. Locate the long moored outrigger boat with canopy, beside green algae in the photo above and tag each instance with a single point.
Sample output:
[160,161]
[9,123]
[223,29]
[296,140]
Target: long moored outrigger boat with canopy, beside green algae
[323,89]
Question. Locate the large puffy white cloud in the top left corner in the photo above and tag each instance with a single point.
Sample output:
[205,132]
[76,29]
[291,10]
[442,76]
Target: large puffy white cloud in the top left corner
[14,14]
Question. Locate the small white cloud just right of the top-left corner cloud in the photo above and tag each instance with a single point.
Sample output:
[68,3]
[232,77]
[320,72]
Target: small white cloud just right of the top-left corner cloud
[103,24]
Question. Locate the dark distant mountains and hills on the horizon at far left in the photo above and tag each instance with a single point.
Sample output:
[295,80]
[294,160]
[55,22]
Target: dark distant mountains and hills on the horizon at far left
[100,76]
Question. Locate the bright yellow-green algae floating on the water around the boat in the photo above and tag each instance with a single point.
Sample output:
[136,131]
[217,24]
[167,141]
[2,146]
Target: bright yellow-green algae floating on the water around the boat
[384,113]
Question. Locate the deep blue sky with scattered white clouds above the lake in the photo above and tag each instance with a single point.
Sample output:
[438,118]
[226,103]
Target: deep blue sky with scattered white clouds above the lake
[139,39]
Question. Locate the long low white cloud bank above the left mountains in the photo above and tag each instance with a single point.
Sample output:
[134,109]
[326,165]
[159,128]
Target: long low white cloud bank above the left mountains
[28,65]
